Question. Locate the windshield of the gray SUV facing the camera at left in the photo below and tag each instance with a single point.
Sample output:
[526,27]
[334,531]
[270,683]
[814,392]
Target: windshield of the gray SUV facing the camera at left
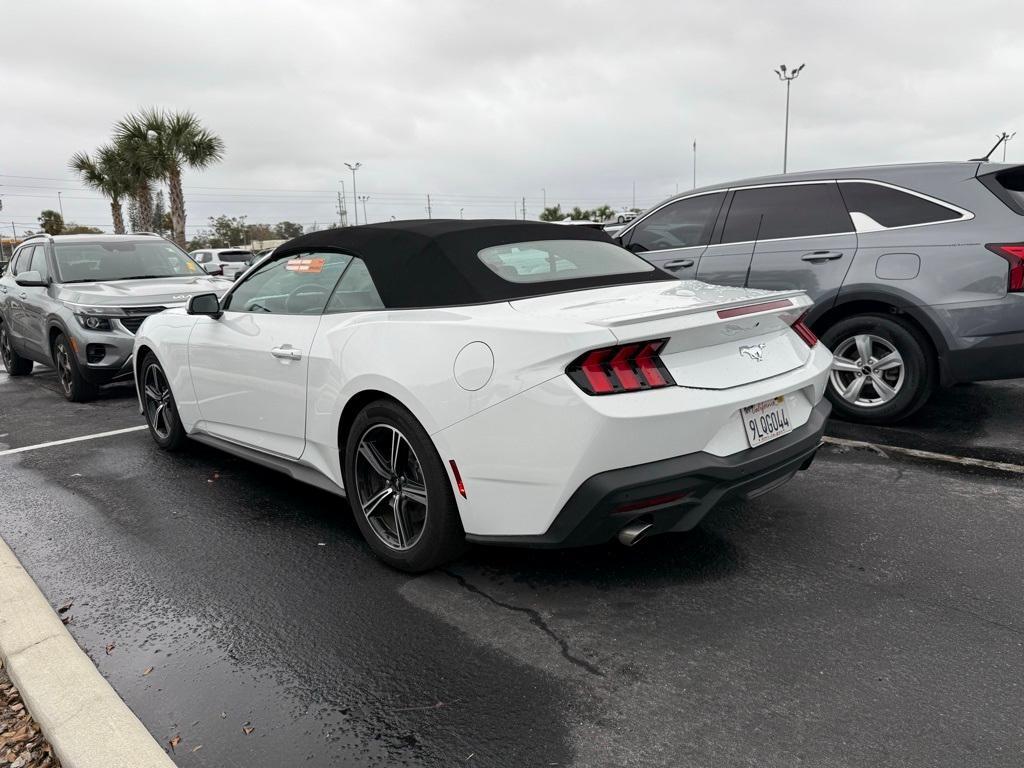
[89,263]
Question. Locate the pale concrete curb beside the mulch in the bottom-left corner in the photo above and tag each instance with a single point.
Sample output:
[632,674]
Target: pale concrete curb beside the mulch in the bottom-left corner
[82,717]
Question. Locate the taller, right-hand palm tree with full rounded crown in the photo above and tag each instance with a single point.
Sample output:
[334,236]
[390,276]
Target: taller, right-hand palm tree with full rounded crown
[164,144]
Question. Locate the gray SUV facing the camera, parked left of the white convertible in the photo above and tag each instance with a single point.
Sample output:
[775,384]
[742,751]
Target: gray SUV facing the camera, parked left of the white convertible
[75,302]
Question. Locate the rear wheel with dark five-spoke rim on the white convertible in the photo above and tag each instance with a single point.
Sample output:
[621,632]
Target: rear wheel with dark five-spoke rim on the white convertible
[404,507]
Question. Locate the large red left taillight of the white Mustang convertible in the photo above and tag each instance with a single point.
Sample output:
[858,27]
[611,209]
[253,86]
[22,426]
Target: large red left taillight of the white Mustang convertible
[627,368]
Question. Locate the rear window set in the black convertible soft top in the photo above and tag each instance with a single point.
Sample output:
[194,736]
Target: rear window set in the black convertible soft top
[547,261]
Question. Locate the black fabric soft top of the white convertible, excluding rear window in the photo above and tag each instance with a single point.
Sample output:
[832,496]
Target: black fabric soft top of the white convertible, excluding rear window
[435,263]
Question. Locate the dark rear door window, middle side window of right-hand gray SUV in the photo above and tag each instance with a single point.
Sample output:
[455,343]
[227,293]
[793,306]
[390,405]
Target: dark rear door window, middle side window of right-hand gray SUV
[789,211]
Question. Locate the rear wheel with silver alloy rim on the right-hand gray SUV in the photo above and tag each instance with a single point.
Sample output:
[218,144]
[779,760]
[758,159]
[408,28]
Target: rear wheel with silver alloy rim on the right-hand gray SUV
[866,392]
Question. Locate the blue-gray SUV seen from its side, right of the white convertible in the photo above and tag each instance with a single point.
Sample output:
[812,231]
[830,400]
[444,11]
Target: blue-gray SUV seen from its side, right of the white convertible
[917,271]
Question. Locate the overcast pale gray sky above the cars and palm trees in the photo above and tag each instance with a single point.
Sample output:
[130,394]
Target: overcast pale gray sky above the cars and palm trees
[480,103]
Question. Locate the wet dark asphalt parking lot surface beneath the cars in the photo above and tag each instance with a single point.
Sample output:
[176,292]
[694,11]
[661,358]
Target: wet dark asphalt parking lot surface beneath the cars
[868,614]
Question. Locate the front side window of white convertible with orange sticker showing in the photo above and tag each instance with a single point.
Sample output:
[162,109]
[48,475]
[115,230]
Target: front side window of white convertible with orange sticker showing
[298,284]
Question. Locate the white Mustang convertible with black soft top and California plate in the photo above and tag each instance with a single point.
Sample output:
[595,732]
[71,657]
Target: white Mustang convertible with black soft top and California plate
[502,382]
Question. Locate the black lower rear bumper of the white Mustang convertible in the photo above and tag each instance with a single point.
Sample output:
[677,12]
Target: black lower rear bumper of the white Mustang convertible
[691,486]
